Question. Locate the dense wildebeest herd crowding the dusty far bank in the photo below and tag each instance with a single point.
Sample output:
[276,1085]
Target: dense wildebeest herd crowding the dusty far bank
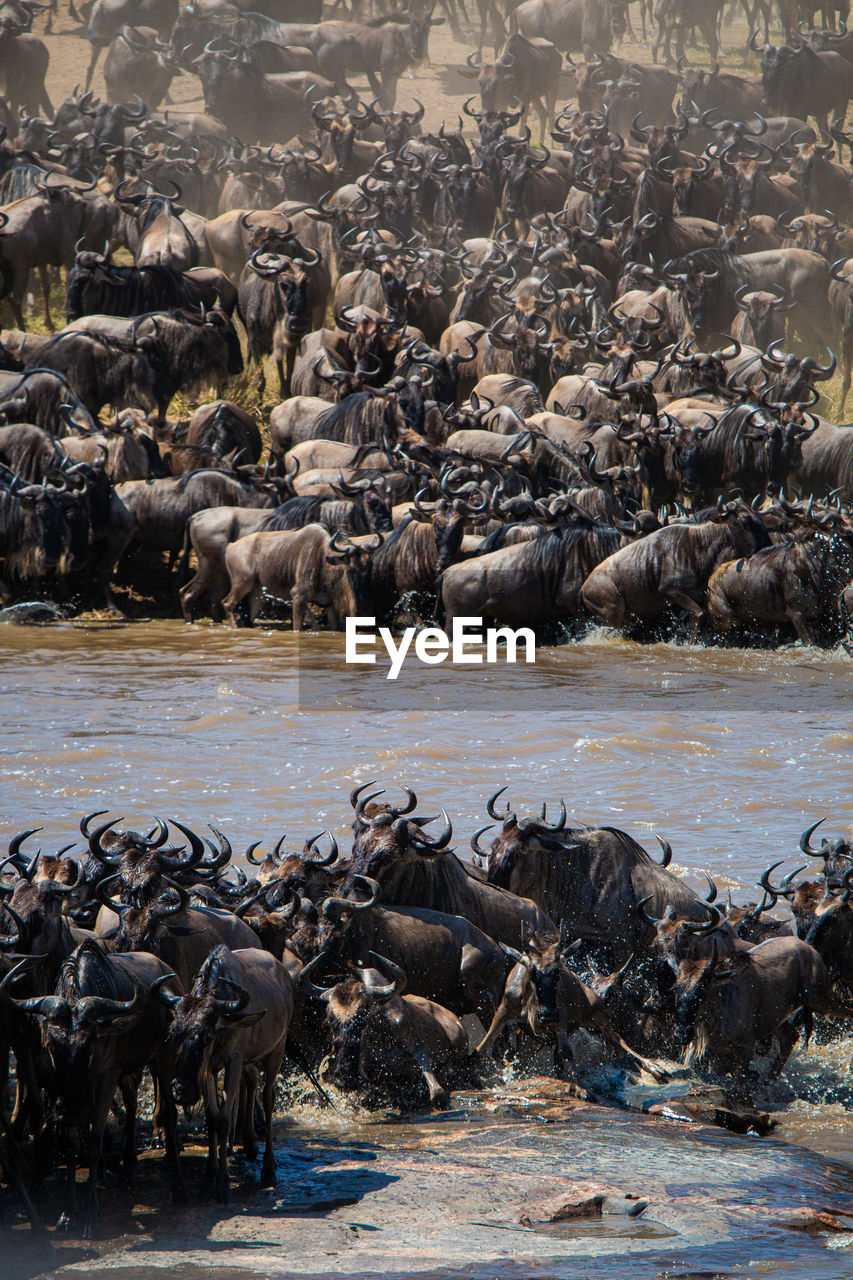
[554,383]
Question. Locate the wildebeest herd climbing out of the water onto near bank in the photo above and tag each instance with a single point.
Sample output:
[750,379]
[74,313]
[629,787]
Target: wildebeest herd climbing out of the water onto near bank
[357,970]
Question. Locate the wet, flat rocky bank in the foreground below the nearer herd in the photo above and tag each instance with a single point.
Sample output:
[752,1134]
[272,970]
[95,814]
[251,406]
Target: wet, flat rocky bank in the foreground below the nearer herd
[524,1182]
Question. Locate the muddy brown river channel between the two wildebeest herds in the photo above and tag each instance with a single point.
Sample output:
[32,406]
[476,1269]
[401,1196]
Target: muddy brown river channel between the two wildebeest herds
[727,753]
